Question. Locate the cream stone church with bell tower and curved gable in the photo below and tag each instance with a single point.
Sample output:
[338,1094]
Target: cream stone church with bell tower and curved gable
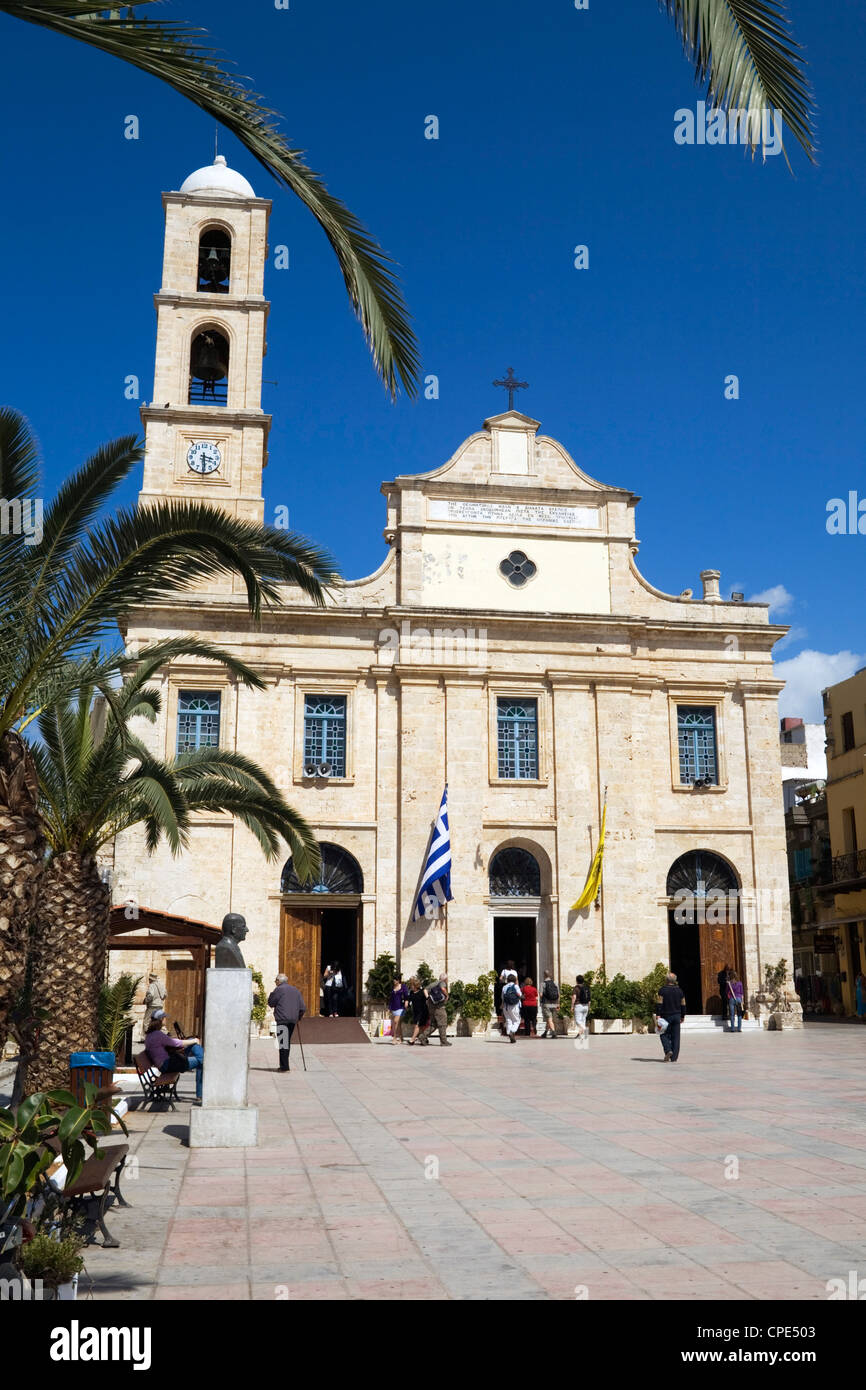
[508,646]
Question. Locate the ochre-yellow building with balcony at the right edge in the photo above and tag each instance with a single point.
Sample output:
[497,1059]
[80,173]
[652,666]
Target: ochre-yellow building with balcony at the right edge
[846,890]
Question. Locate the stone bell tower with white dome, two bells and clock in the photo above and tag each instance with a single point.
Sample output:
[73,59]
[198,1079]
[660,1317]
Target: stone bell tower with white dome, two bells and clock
[206,433]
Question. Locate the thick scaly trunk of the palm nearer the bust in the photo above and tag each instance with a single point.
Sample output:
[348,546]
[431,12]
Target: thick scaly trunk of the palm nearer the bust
[70,949]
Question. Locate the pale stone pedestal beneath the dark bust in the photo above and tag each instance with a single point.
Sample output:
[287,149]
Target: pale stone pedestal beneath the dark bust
[224,1120]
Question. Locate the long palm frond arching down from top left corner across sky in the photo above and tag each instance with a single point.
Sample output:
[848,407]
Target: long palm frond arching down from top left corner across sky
[174,54]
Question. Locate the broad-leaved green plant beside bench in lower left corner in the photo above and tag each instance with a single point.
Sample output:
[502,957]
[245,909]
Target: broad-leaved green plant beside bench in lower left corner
[24,1132]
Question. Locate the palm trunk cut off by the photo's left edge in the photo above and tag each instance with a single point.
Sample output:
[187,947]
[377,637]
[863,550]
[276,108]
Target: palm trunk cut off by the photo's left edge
[22,861]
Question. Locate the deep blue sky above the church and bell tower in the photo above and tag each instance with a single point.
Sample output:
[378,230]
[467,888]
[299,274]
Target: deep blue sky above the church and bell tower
[555,129]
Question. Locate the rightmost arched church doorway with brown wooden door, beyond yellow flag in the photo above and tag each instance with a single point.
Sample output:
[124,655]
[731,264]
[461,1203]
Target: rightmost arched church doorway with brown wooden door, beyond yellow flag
[704,928]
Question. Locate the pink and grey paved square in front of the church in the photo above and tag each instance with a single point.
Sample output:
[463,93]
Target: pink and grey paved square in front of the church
[514,1172]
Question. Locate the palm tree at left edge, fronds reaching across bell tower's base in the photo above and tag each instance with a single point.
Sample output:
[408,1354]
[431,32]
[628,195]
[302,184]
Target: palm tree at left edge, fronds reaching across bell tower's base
[63,589]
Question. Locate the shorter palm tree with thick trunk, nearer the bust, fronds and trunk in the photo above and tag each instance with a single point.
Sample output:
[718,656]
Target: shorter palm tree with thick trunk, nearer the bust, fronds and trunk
[97,780]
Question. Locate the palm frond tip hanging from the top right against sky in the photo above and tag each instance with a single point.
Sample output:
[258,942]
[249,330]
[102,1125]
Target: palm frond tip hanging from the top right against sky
[746,52]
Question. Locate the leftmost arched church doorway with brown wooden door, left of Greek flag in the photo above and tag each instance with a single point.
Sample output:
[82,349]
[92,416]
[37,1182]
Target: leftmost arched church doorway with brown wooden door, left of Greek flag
[322,924]
